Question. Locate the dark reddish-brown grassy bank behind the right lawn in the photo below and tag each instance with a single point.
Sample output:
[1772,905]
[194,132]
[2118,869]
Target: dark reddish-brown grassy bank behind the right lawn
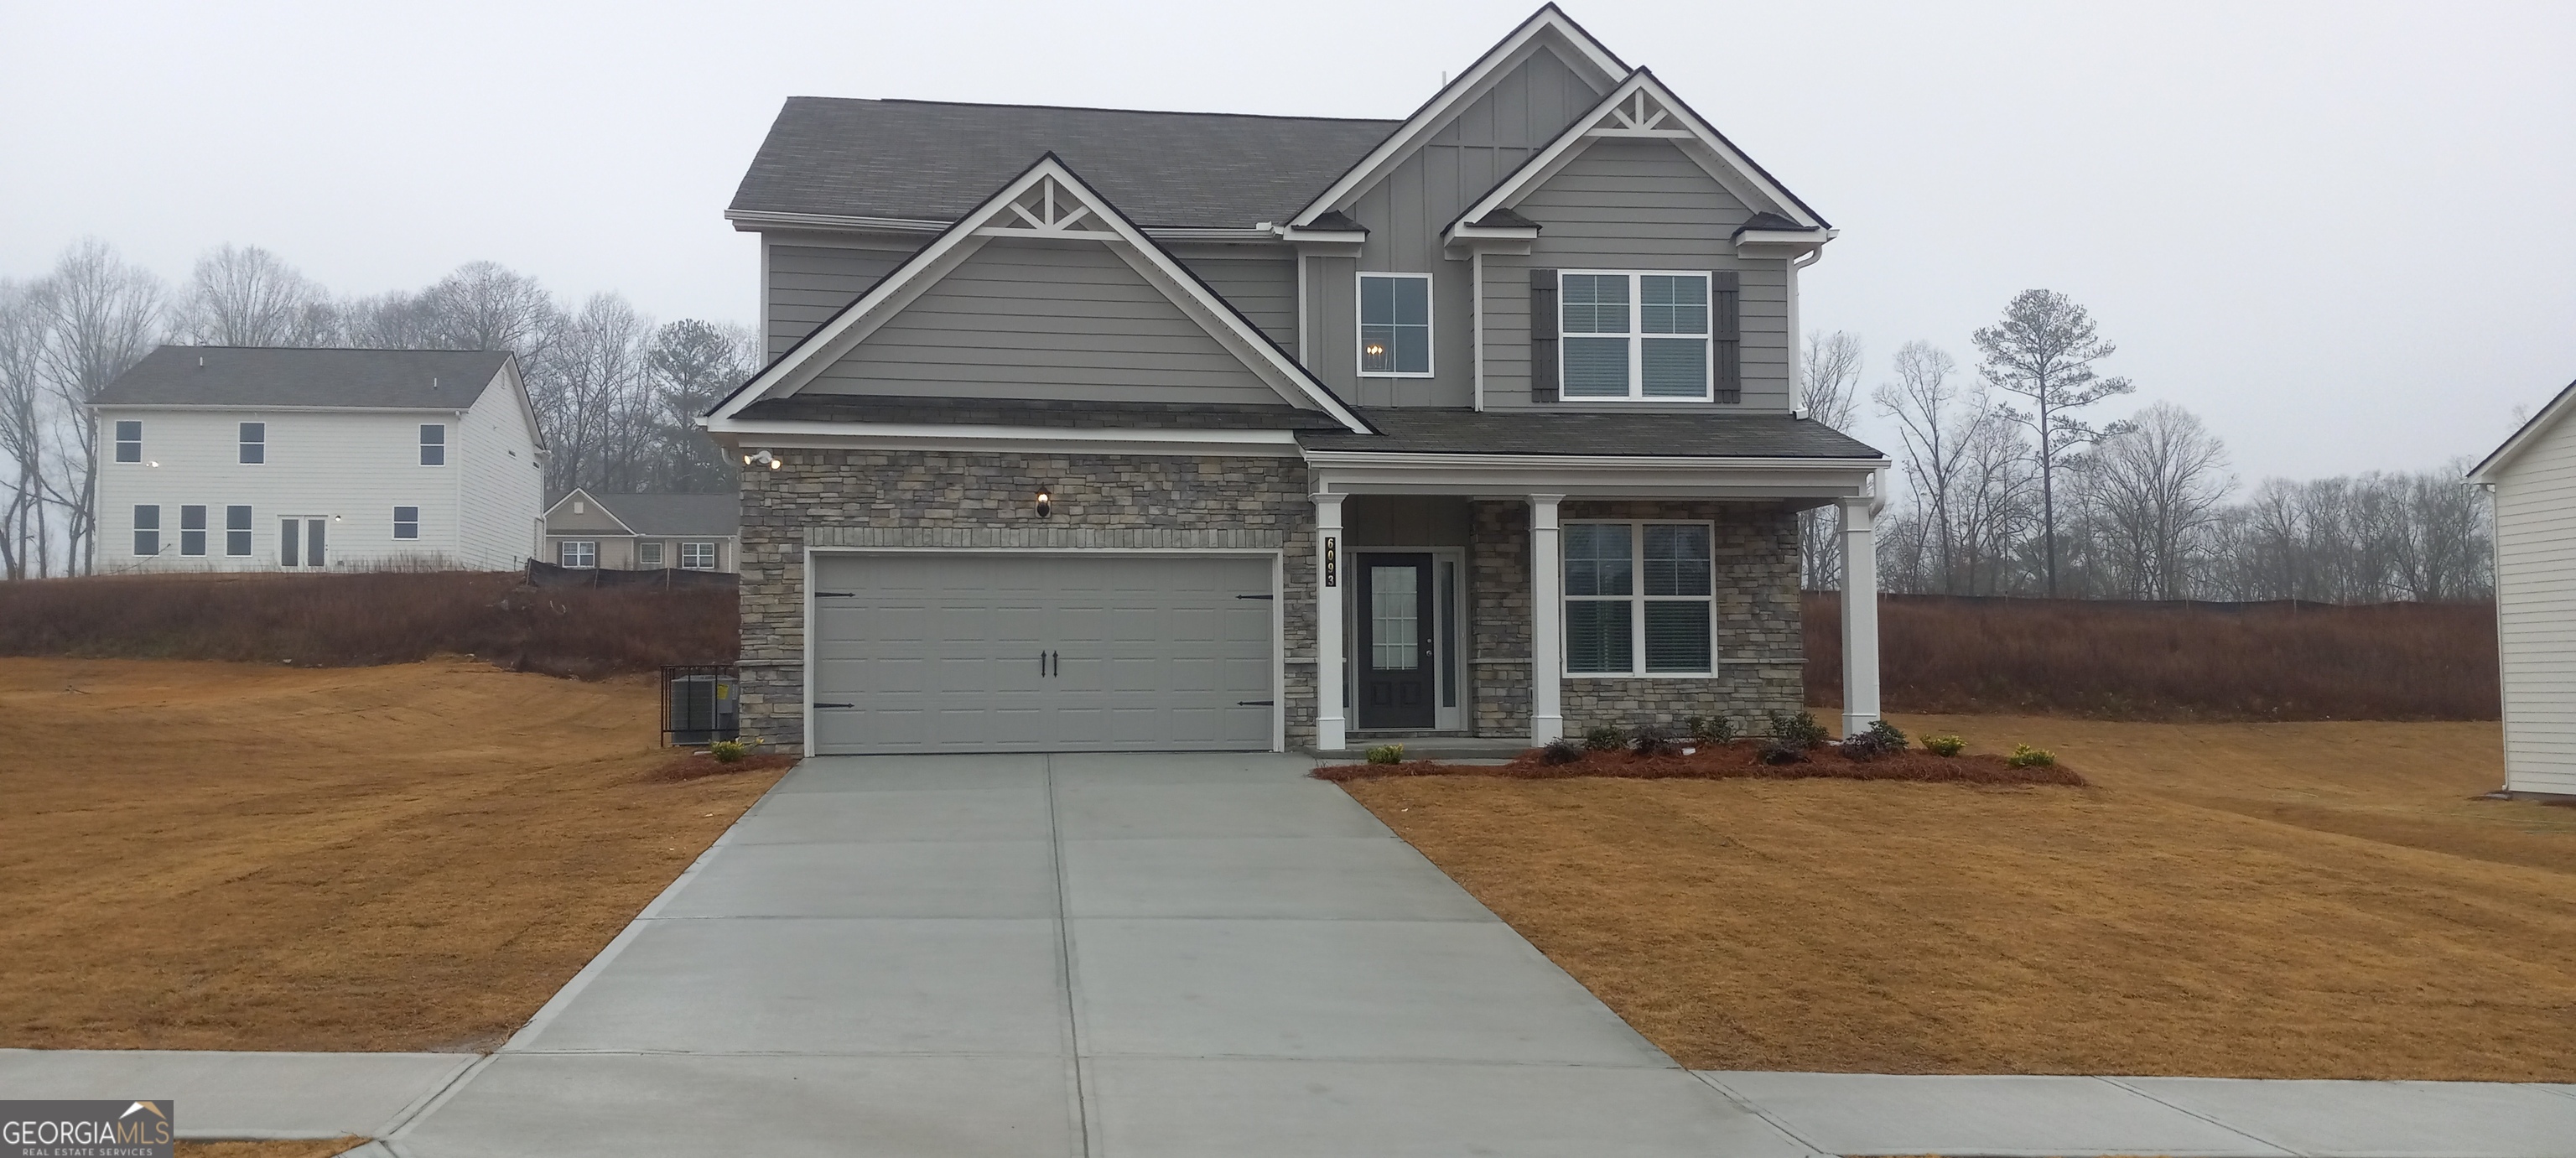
[2170,663]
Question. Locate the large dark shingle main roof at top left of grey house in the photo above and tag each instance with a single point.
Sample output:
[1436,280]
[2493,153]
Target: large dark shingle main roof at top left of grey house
[934,161]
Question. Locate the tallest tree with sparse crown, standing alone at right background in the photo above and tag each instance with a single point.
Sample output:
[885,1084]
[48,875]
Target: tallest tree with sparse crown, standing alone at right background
[2044,351]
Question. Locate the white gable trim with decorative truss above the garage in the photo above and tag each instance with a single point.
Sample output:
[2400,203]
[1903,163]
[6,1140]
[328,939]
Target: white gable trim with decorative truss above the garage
[1047,205]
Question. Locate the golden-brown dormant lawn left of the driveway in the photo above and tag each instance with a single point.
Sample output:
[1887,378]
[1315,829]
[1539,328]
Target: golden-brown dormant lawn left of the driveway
[269,858]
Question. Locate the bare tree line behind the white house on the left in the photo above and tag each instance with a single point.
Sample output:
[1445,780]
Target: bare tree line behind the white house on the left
[614,392]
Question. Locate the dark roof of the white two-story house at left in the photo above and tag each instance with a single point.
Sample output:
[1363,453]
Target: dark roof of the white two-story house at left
[272,377]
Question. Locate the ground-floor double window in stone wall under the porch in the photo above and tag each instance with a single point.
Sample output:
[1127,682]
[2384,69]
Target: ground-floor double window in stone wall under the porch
[1640,598]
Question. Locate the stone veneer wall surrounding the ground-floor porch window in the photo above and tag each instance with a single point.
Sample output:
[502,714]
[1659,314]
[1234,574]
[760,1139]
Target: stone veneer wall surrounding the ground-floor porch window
[1758,627]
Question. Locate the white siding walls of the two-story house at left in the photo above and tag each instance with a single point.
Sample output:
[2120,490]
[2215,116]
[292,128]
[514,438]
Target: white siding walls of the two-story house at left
[341,467]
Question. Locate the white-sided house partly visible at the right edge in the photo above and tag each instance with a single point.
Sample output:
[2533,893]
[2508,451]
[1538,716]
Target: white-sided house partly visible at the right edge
[2533,482]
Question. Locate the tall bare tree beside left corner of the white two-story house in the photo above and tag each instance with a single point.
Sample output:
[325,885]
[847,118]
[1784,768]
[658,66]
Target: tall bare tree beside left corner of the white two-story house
[102,318]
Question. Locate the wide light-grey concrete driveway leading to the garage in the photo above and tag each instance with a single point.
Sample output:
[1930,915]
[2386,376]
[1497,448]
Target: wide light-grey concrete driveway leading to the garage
[1075,956]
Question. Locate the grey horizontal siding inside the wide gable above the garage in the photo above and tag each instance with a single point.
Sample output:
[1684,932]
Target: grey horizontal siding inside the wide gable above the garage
[1045,320]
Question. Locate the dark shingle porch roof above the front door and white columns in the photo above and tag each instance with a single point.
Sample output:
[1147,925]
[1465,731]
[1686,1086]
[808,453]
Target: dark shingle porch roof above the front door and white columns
[1591,434]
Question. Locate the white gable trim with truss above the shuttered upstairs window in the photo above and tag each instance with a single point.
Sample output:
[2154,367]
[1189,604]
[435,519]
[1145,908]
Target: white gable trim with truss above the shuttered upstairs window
[1642,109]
